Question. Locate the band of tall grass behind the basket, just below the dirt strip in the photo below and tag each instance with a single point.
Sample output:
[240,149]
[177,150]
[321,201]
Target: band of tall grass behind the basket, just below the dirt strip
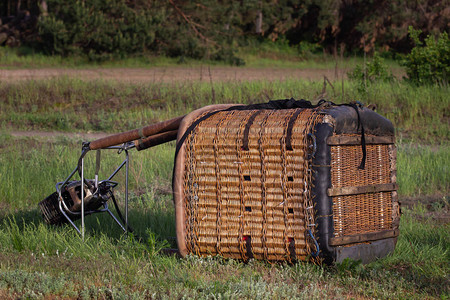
[73,104]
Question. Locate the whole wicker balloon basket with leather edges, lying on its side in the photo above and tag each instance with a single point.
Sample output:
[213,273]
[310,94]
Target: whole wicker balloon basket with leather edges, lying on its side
[286,183]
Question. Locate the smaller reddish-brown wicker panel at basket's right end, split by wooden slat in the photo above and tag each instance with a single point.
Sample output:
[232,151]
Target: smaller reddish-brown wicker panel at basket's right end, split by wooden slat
[363,213]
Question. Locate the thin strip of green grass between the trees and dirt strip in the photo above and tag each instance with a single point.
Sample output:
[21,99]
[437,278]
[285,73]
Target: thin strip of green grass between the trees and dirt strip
[256,55]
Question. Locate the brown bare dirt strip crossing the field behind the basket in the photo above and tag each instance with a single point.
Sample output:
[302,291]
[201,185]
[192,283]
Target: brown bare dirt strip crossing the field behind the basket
[171,74]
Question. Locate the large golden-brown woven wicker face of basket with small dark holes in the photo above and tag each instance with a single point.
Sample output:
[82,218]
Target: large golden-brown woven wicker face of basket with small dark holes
[234,195]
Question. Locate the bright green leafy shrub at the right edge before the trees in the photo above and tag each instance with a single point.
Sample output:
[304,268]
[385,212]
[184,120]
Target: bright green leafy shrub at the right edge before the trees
[428,62]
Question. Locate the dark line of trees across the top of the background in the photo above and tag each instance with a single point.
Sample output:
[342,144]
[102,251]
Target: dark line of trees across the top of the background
[104,29]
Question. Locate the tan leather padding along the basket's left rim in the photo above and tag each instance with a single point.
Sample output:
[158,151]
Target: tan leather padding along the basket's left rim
[178,175]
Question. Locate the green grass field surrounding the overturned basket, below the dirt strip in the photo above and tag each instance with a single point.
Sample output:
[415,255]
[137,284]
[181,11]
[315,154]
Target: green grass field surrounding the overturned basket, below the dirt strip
[38,261]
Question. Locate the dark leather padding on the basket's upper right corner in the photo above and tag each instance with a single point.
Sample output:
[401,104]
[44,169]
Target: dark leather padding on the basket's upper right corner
[346,121]
